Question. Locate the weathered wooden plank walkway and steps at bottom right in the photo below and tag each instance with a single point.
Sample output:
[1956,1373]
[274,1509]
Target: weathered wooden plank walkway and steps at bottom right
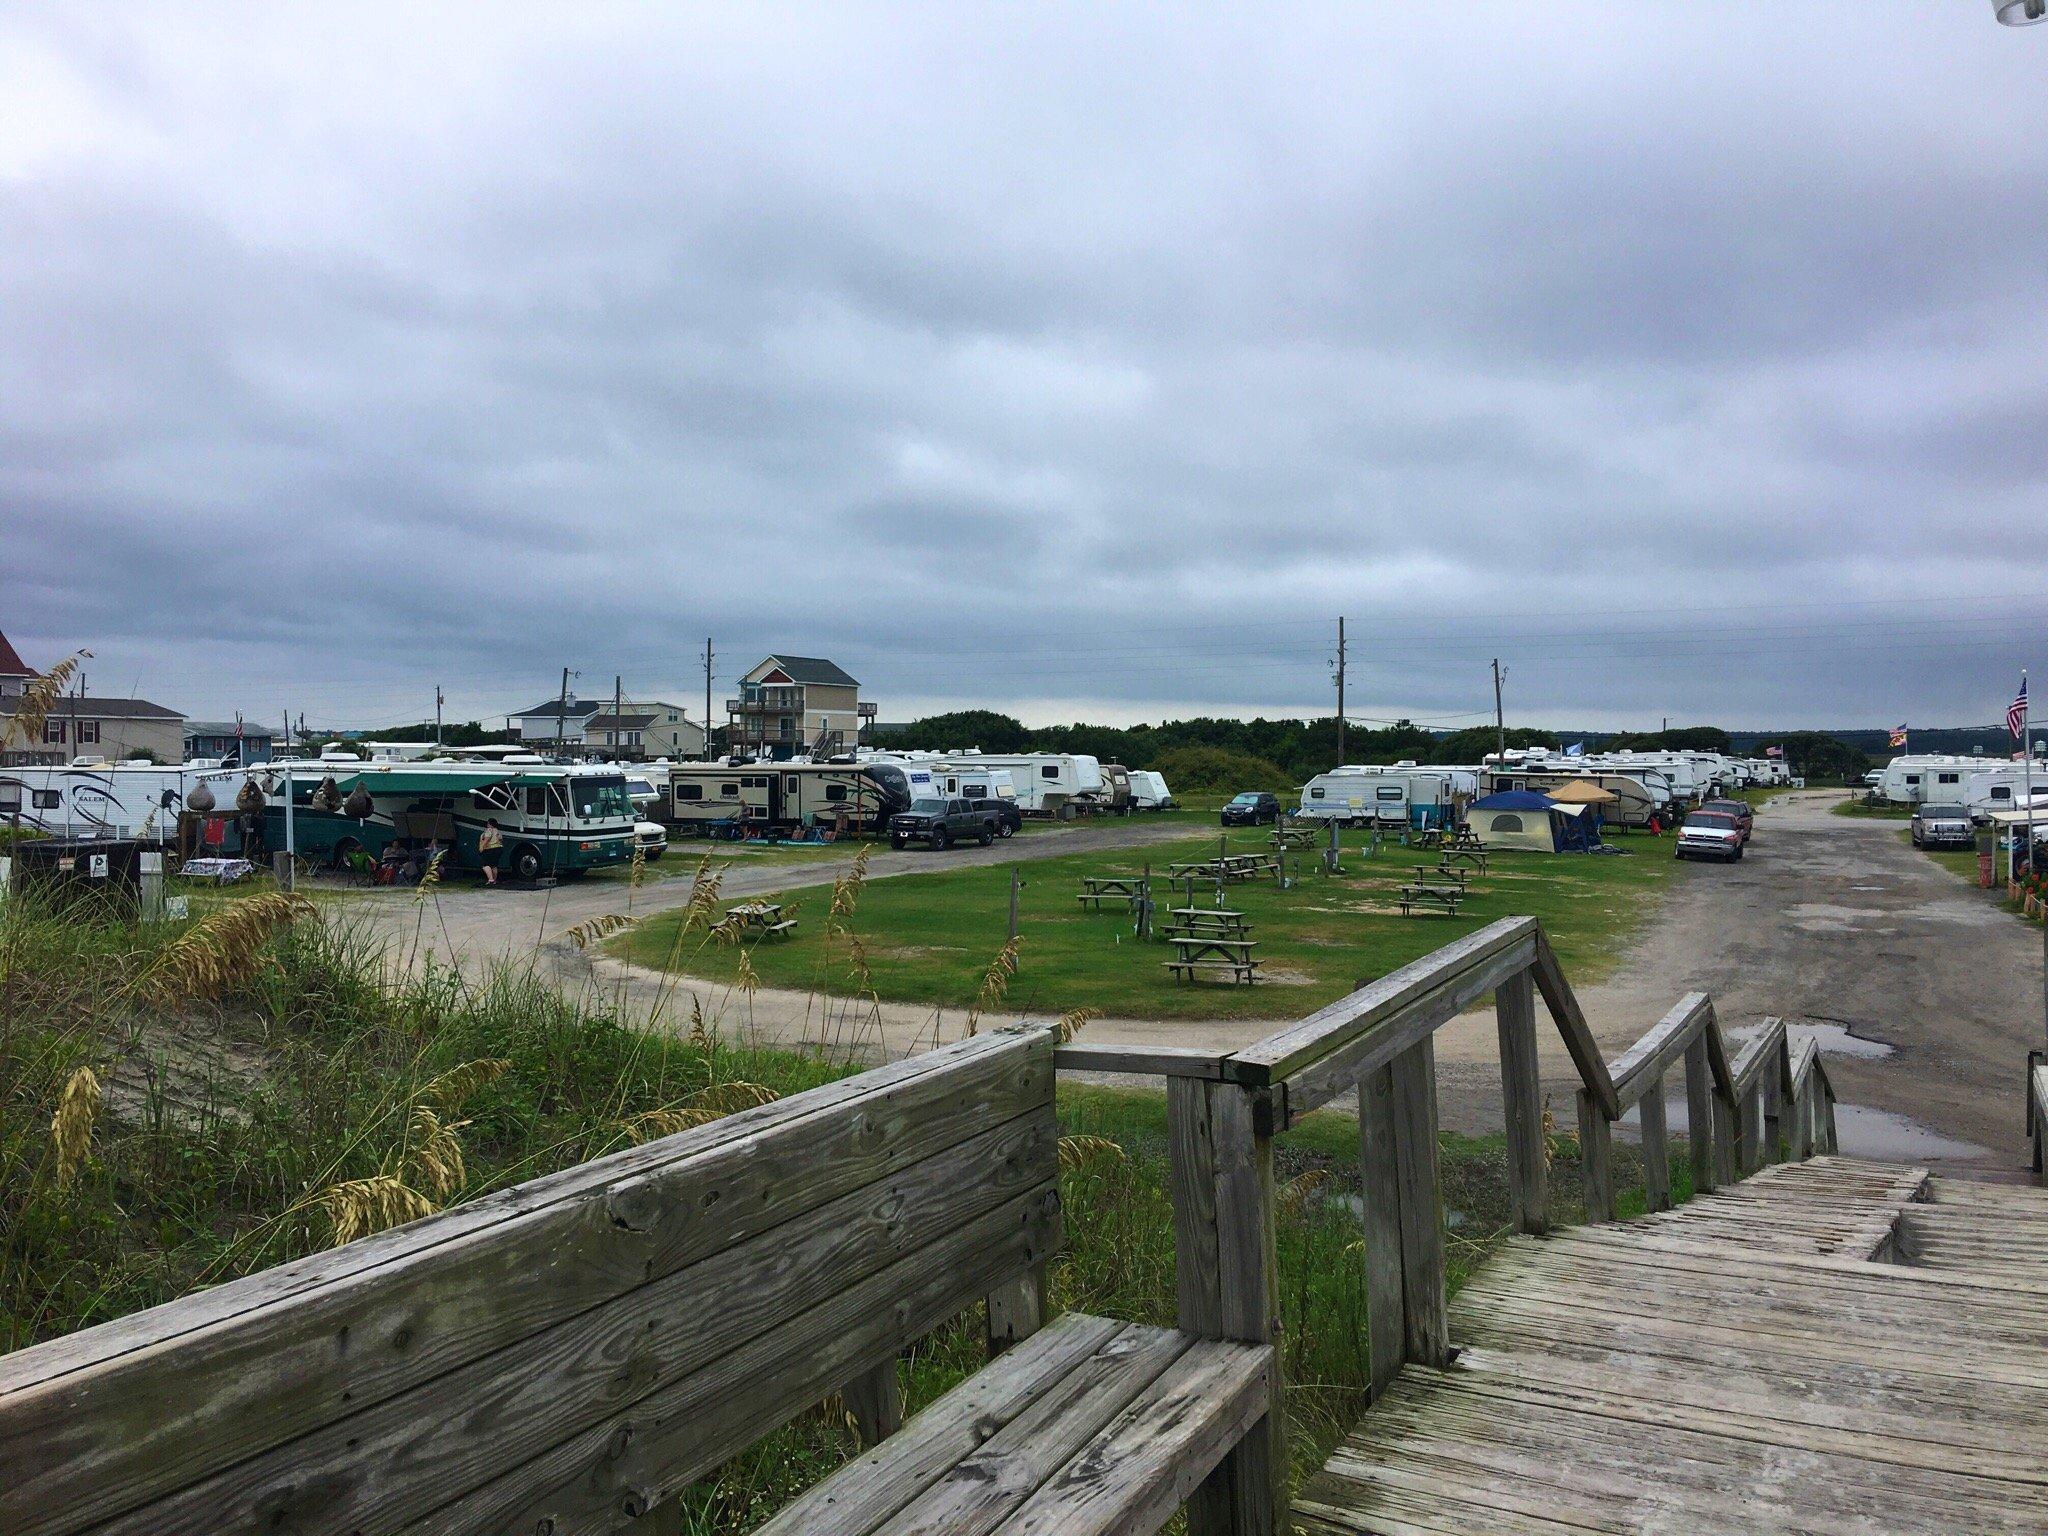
[1830,1347]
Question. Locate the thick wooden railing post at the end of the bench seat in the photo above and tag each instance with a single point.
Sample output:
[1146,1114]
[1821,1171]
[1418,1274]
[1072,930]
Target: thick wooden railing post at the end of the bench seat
[1228,1281]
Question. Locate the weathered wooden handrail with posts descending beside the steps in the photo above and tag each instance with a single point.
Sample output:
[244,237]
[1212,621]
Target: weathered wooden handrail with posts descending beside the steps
[1224,1111]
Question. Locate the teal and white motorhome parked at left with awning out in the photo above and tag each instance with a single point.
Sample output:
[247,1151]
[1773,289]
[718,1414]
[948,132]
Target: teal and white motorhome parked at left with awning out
[556,820]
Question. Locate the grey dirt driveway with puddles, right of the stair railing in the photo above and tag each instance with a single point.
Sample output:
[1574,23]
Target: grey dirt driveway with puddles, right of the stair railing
[1926,996]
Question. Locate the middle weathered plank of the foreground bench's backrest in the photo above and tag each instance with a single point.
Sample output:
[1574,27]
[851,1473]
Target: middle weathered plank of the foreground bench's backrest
[402,1457]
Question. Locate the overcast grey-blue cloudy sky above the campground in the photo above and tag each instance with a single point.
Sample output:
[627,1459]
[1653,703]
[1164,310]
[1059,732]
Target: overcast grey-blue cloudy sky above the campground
[1070,361]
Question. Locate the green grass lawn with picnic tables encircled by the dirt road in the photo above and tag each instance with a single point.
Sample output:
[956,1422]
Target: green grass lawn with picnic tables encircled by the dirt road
[931,939]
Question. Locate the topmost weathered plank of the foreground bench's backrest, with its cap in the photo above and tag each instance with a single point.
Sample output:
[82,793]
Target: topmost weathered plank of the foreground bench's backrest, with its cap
[294,1349]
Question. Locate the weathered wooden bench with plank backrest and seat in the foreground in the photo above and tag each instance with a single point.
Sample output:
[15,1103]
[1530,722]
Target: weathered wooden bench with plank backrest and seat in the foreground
[572,1353]
